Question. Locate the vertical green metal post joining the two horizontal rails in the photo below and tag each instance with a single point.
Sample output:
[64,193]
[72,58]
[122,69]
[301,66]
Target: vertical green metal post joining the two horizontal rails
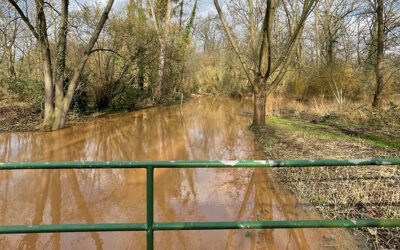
[150,207]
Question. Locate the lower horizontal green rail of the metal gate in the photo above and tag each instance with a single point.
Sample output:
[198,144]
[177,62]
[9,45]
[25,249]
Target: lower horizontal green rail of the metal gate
[215,225]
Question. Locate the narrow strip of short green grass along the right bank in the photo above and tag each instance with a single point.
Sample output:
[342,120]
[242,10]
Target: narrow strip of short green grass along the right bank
[324,131]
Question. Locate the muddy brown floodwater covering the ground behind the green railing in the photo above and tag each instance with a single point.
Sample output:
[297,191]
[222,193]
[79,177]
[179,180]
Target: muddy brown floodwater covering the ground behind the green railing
[203,129]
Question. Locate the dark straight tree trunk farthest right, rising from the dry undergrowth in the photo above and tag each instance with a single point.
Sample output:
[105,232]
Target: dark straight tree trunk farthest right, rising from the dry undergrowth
[377,102]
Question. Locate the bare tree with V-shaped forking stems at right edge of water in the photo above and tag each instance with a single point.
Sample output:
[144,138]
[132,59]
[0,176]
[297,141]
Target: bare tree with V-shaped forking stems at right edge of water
[269,70]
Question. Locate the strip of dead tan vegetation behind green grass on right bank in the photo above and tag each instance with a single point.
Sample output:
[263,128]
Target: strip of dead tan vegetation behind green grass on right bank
[352,118]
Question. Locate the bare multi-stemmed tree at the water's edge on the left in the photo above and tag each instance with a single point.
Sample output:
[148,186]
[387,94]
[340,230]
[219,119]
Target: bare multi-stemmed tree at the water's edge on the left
[57,106]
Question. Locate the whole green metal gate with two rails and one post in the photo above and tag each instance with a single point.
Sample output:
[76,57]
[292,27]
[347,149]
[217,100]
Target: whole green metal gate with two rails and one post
[150,226]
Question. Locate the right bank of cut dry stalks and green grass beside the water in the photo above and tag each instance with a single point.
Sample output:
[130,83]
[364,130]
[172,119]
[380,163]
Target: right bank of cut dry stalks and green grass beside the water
[340,192]
